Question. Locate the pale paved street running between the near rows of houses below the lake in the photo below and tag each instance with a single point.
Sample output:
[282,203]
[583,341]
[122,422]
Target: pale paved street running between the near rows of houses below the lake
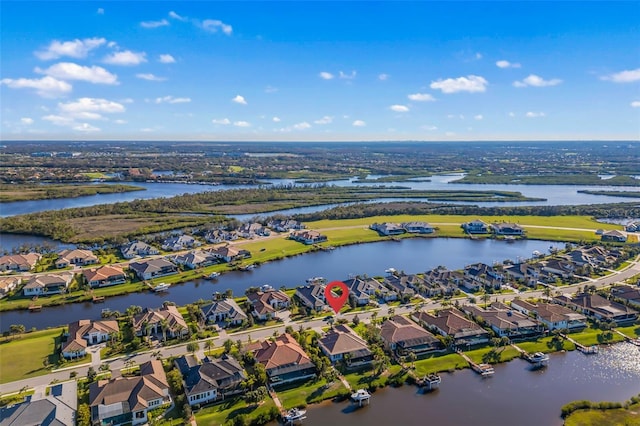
[262,333]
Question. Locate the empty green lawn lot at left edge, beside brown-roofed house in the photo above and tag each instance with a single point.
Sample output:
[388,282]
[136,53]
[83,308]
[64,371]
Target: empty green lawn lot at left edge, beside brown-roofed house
[28,355]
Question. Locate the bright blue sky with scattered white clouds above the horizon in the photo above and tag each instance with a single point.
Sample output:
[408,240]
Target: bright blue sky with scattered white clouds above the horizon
[306,71]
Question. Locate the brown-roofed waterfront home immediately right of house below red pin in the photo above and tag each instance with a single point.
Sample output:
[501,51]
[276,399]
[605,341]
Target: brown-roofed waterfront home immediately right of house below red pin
[401,336]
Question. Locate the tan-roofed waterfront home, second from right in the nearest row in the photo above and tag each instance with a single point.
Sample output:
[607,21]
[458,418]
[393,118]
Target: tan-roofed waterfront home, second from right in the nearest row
[553,316]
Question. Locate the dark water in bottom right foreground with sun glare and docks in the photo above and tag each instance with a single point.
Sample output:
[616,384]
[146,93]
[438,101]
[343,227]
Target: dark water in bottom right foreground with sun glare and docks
[514,395]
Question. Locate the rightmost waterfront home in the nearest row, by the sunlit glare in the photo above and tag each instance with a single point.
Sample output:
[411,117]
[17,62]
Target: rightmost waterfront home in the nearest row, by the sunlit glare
[596,306]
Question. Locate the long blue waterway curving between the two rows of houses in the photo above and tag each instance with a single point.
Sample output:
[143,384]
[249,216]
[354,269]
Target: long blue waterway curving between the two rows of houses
[410,255]
